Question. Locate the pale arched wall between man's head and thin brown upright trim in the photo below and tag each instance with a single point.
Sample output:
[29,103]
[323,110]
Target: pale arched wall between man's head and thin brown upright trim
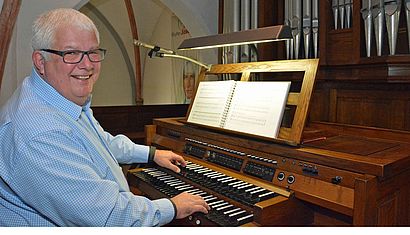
[116,84]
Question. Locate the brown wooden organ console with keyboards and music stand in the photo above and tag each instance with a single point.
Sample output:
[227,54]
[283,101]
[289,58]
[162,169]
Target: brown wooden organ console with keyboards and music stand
[324,174]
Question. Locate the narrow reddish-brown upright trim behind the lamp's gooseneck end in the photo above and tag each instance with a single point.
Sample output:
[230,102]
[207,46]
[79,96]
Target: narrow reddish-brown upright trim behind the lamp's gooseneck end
[138,77]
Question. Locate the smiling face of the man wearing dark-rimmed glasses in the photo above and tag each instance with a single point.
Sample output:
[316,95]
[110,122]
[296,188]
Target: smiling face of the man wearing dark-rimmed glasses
[74,81]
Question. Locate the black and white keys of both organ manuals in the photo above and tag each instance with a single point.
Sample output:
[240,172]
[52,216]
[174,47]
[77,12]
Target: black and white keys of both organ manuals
[222,212]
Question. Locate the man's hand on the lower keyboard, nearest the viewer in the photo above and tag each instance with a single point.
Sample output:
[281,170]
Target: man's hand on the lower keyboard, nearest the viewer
[188,204]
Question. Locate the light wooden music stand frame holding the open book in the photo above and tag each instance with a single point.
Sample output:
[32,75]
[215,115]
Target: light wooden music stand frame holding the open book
[290,135]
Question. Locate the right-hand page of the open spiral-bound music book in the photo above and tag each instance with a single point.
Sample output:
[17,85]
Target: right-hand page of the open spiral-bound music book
[257,108]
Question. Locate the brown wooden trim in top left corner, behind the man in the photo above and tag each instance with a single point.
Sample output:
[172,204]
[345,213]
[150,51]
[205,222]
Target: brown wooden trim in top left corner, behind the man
[8,17]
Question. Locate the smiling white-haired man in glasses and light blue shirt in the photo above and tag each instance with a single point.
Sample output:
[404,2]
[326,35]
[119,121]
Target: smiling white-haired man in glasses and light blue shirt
[58,167]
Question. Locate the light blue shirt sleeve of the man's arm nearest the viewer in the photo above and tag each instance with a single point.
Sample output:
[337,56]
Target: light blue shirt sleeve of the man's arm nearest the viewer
[56,176]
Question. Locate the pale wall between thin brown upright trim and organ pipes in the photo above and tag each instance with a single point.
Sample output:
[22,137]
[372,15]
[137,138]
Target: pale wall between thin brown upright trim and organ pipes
[200,18]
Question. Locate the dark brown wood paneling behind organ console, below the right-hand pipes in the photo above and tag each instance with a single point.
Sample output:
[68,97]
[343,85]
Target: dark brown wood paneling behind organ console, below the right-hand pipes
[375,107]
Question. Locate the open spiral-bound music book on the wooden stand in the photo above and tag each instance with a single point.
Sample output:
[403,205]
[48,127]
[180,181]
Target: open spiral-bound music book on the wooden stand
[250,107]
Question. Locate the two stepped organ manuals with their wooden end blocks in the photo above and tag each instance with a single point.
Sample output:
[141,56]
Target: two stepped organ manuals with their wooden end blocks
[233,201]
